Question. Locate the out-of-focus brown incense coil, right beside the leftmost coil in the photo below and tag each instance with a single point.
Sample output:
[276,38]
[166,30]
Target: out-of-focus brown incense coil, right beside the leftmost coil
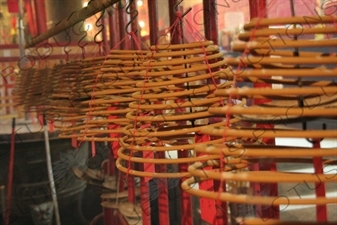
[69,109]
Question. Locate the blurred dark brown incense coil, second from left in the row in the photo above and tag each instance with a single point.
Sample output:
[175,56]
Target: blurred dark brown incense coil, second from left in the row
[67,94]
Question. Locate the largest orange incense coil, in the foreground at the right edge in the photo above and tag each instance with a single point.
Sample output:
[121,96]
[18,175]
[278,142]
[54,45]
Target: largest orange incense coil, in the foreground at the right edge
[303,99]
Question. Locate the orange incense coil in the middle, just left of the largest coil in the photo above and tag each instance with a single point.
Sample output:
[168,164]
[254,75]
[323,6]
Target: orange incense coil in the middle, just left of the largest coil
[172,107]
